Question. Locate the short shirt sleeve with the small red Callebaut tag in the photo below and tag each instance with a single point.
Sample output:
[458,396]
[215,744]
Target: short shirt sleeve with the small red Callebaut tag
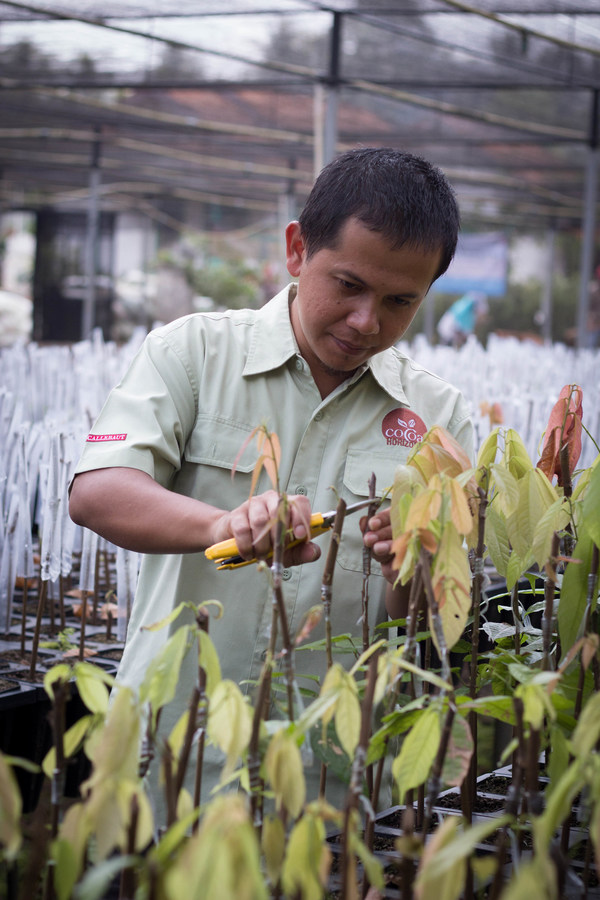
[147,417]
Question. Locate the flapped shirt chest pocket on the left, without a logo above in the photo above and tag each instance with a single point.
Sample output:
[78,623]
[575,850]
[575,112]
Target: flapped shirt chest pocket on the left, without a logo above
[214,448]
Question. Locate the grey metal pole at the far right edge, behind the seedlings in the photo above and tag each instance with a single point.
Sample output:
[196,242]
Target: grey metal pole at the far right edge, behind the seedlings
[589,228]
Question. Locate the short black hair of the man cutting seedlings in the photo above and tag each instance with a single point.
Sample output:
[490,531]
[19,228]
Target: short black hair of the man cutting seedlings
[402,196]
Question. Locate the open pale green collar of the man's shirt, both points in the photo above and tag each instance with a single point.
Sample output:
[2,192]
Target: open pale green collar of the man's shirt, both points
[273,343]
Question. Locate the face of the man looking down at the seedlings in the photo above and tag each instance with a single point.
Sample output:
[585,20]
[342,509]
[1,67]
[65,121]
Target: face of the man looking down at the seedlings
[354,299]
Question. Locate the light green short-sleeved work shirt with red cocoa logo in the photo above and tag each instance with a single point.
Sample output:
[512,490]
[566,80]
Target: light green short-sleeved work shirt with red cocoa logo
[192,396]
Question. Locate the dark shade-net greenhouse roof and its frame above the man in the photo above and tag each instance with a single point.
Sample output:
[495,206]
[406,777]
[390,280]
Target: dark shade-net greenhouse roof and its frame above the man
[205,108]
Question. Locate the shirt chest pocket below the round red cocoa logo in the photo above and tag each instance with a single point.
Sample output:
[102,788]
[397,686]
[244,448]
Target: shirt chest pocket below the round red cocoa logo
[359,466]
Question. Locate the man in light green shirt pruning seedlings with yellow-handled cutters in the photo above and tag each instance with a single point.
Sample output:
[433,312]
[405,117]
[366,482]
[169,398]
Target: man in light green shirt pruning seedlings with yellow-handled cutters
[317,364]
